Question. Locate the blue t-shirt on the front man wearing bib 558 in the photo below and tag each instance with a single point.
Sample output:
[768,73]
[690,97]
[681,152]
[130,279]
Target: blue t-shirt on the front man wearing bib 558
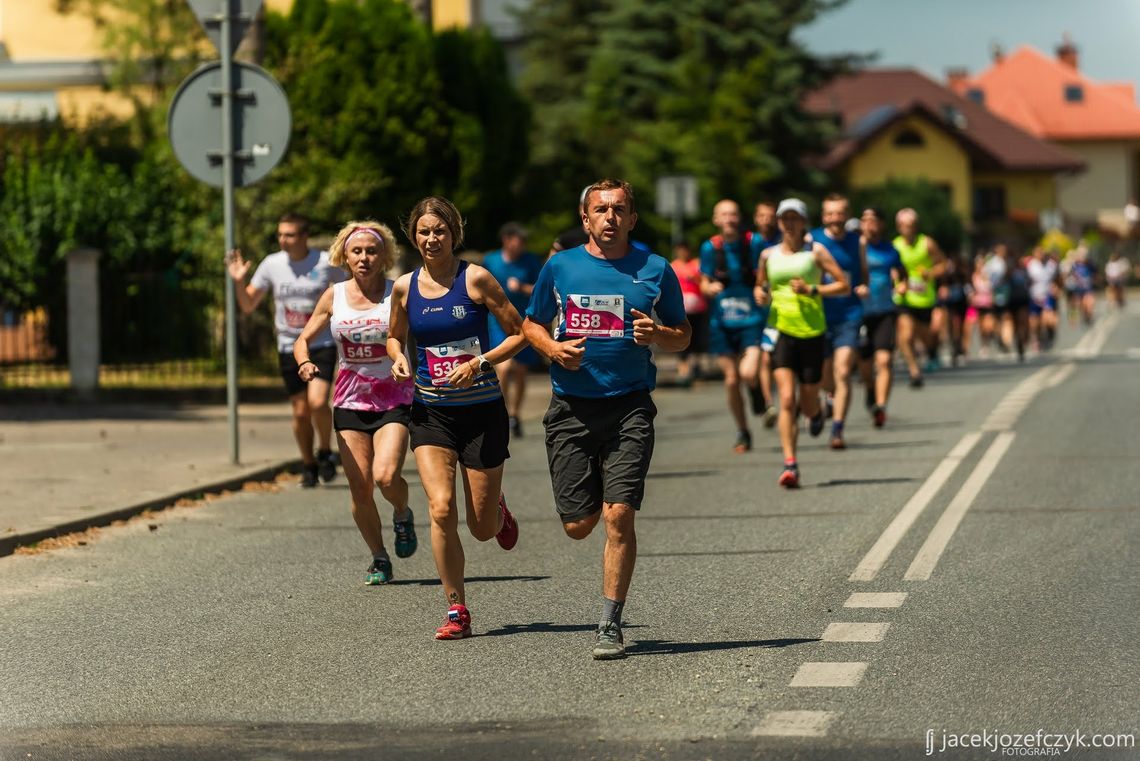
[592,297]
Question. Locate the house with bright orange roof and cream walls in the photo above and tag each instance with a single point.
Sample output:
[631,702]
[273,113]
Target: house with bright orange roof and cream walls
[1098,122]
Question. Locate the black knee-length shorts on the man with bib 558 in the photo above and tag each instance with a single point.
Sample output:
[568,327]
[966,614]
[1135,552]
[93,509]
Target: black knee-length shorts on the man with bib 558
[599,452]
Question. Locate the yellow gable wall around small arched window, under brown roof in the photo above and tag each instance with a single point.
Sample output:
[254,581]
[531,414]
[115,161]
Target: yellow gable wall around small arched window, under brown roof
[941,160]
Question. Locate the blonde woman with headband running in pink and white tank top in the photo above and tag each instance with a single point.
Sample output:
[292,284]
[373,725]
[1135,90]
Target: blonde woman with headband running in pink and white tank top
[370,408]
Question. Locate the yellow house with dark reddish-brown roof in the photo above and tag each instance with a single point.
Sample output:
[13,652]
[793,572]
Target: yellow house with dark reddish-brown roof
[898,124]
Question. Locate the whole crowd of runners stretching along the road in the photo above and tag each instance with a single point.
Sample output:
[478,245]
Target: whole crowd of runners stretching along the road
[791,313]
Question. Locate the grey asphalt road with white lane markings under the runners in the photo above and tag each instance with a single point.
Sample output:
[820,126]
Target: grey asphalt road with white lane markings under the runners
[242,629]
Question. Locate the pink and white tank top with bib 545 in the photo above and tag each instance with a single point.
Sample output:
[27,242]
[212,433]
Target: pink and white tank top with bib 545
[364,377]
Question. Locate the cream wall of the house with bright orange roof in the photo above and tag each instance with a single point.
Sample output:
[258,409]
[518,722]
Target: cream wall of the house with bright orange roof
[1106,185]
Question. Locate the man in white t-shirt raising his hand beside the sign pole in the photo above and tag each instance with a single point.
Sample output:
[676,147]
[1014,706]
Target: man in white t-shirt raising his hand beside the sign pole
[298,276]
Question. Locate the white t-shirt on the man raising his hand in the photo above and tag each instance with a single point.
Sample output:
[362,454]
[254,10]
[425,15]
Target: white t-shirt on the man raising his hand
[297,288]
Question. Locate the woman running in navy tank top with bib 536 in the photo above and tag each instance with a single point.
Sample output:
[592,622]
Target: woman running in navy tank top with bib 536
[459,421]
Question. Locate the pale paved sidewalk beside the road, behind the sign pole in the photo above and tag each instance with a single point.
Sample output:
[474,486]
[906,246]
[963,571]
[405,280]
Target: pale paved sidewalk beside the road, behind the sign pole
[69,468]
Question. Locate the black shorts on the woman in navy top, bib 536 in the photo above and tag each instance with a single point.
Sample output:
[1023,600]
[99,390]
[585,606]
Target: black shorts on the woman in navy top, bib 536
[478,433]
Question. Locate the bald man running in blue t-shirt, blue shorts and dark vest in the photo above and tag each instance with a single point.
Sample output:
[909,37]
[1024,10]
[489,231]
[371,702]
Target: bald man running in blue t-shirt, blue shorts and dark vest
[728,279]
